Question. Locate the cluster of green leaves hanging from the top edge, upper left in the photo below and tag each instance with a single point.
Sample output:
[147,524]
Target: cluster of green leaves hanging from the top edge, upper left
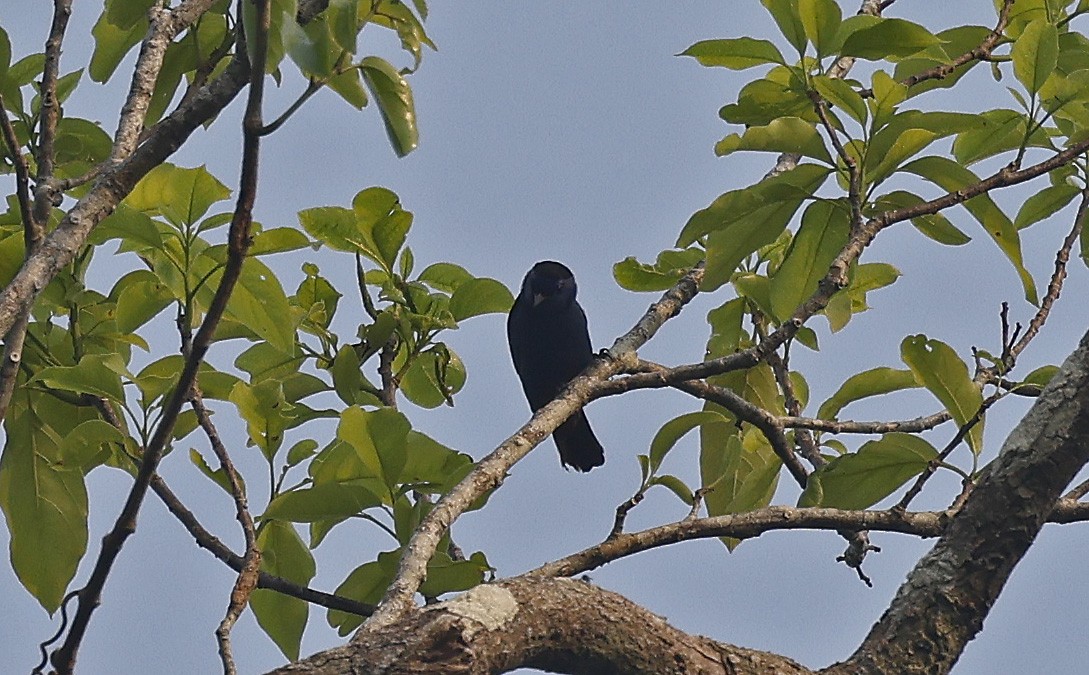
[325,51]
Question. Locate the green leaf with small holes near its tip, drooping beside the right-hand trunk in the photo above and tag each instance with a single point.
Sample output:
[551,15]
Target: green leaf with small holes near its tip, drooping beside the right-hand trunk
[938,369]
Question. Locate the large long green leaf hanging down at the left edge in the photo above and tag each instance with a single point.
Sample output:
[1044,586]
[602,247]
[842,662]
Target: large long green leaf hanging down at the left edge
[45,505]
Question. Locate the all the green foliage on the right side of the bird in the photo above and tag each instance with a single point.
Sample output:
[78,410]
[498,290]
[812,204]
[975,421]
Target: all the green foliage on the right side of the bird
[755,240]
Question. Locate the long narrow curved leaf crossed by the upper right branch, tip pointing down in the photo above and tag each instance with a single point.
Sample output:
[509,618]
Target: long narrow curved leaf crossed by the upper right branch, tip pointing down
[952,177]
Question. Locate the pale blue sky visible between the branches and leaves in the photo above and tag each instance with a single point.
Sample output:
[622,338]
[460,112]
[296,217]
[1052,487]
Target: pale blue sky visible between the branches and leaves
[570,131]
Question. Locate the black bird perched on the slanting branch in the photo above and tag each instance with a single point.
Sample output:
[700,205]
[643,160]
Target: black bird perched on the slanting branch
[550,346]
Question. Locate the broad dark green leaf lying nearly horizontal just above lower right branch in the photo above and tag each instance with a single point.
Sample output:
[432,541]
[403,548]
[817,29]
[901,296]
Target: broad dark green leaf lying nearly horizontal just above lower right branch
[859,481]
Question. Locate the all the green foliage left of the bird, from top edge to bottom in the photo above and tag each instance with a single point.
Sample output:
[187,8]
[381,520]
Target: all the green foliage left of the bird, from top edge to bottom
[299,375]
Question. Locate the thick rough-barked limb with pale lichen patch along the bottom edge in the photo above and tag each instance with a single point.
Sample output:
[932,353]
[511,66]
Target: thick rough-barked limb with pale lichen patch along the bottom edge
[560,625]
